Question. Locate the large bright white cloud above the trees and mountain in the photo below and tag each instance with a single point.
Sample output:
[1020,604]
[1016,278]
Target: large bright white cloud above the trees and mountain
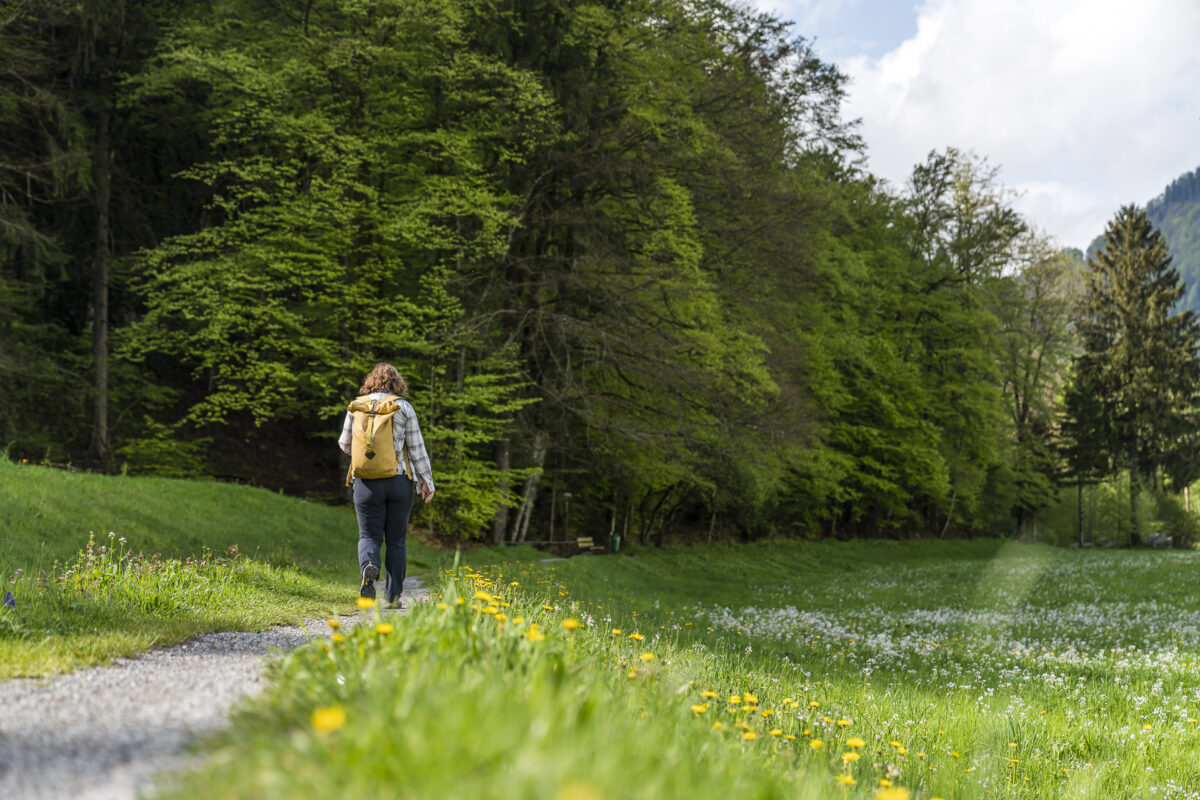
[1085,105]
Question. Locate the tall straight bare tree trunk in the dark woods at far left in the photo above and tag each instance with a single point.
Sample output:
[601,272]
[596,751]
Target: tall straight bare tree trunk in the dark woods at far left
[103,181]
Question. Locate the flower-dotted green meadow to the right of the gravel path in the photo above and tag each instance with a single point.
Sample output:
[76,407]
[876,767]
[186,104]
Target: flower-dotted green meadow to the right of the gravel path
[782,670]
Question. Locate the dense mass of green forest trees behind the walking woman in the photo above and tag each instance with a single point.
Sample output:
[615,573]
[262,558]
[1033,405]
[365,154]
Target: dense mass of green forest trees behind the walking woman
[631,249]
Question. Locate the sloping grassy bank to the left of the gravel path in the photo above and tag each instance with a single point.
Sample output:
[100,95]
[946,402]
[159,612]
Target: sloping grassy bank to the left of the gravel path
[169,560]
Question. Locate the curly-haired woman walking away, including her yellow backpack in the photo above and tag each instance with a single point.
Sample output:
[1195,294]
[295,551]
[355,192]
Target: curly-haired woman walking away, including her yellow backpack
[385,477]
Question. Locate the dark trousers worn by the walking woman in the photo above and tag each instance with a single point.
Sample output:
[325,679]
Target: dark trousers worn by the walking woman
[383,506]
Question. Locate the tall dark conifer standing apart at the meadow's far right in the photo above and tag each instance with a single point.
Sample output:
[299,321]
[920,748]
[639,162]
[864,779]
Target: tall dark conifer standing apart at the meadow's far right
[1141,358]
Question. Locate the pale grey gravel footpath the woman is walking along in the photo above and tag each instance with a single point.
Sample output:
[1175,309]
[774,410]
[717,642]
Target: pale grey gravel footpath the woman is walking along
[103,733]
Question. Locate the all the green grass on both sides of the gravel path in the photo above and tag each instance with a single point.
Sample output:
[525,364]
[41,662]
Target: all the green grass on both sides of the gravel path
[776,670]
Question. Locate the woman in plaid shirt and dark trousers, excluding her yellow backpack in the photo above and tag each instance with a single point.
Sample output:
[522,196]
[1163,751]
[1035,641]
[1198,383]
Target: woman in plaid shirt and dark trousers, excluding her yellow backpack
[385,504]
